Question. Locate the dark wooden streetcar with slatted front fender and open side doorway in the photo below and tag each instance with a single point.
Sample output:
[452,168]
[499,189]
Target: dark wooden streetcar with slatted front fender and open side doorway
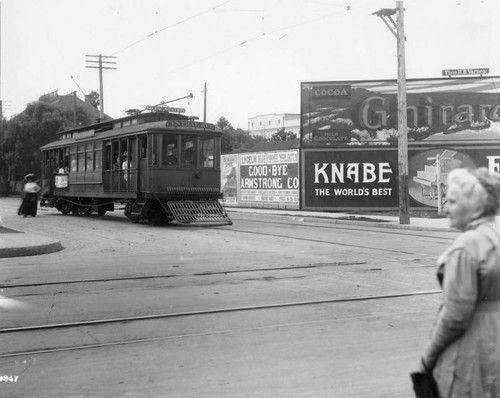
[160,165]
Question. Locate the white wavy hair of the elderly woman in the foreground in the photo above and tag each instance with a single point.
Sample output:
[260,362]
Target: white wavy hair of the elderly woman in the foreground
[478,186]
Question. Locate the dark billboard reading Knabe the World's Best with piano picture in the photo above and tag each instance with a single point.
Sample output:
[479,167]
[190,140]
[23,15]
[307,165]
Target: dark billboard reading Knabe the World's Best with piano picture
[367,178]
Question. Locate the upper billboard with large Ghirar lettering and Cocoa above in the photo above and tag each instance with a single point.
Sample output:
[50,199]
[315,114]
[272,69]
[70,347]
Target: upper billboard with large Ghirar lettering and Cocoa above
[350,113]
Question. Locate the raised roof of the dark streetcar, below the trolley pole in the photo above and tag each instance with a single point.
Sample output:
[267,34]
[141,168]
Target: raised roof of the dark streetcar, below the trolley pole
[143,123]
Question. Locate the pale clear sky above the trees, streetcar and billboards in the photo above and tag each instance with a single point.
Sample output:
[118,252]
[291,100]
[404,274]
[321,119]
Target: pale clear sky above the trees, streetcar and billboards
[251,54]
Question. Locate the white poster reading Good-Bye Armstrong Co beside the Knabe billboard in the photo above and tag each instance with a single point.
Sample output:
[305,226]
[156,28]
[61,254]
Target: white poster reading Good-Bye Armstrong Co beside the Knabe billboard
[270,178]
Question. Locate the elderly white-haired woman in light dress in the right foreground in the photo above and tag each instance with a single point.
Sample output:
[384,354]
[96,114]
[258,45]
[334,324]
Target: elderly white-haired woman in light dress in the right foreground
[464,349]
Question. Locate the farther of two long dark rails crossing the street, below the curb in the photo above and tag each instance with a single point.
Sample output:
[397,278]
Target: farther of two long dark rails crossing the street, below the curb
[207,273]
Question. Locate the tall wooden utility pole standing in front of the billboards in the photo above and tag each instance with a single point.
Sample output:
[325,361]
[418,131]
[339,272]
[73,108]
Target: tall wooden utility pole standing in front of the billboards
[398,31]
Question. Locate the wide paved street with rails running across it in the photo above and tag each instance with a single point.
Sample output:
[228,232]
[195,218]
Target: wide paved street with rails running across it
[271,307]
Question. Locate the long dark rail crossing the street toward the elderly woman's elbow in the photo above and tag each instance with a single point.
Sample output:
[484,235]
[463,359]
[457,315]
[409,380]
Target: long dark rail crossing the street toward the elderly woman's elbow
[210,312]
